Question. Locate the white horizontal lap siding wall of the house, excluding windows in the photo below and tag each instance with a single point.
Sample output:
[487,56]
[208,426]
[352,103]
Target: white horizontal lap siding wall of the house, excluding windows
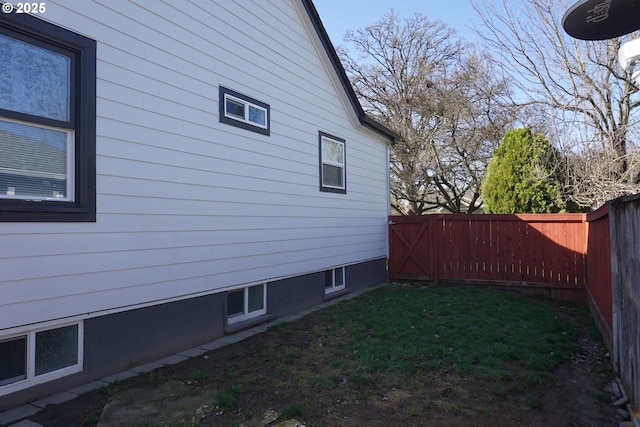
[187,205]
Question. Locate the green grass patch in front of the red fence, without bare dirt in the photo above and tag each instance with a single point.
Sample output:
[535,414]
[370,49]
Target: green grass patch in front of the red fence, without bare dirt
[509,341]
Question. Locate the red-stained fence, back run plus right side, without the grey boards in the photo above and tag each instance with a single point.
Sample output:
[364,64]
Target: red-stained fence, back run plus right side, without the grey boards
[563,256]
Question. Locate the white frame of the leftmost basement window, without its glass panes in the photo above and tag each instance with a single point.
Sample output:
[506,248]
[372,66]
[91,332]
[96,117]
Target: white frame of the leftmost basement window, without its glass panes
[31,378]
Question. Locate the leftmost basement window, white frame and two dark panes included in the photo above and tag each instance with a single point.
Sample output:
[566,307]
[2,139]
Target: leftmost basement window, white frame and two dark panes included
[38,356]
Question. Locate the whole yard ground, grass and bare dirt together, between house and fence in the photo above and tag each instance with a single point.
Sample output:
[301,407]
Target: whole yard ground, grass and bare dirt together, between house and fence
[406,354]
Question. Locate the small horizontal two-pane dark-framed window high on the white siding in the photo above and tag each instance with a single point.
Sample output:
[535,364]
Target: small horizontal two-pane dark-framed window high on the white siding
[242,111]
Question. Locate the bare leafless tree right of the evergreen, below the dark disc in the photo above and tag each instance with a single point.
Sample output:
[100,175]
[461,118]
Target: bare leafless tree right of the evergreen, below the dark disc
[588,105]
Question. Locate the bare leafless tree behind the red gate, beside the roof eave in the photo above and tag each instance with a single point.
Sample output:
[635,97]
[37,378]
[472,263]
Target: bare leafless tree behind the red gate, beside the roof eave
[444,101]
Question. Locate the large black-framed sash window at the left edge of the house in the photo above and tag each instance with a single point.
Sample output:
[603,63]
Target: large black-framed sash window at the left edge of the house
[47,122]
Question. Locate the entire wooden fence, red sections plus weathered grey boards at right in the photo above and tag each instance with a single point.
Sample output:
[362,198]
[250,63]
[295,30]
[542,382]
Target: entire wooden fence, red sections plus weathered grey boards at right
[596,254]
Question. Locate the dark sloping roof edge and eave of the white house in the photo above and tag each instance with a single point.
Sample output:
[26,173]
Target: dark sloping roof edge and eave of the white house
[364,119]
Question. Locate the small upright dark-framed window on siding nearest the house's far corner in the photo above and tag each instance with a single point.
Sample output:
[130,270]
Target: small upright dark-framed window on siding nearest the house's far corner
[332,164]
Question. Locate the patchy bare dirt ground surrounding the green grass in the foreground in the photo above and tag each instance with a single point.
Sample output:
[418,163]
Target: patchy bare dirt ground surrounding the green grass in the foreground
[286,371]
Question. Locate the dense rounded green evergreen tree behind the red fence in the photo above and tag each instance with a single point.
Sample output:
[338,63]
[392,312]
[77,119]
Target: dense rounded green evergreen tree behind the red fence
[521,176]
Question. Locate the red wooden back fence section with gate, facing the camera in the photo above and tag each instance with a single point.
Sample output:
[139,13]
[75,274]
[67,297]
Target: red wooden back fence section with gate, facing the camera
[532,250]
